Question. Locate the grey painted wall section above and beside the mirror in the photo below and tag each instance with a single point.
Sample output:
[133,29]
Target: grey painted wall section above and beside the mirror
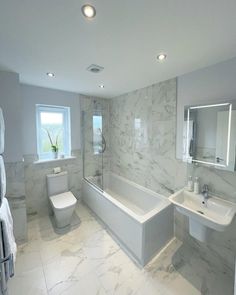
[212,84]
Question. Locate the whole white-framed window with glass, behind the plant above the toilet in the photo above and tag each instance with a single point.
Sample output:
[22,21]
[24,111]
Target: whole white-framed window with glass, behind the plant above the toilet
[53,129]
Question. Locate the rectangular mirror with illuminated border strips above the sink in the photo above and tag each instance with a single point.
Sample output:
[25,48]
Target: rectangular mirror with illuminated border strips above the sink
[209,135]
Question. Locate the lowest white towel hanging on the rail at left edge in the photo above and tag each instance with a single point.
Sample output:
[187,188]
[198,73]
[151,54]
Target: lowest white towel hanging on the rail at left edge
[8,236]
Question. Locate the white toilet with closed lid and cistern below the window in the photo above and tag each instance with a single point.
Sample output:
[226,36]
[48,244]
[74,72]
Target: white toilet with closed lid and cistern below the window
[62,201]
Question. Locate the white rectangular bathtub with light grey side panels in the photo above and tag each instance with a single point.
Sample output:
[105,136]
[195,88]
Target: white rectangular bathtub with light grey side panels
[138,218]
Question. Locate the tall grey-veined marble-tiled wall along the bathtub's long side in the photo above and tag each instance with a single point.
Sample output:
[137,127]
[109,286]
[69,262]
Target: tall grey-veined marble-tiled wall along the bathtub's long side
[142,137]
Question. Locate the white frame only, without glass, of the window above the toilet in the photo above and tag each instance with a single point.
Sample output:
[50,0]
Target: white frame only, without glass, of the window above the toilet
[65,111]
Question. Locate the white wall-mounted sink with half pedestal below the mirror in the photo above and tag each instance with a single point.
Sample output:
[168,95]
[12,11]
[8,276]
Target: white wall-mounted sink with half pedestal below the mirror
[213,214]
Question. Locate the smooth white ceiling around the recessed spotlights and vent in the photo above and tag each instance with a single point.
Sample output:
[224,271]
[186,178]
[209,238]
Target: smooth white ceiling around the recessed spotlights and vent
[38,36]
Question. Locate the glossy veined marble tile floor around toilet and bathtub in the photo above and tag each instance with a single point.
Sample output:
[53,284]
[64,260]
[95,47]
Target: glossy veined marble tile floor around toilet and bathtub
[86,260]
